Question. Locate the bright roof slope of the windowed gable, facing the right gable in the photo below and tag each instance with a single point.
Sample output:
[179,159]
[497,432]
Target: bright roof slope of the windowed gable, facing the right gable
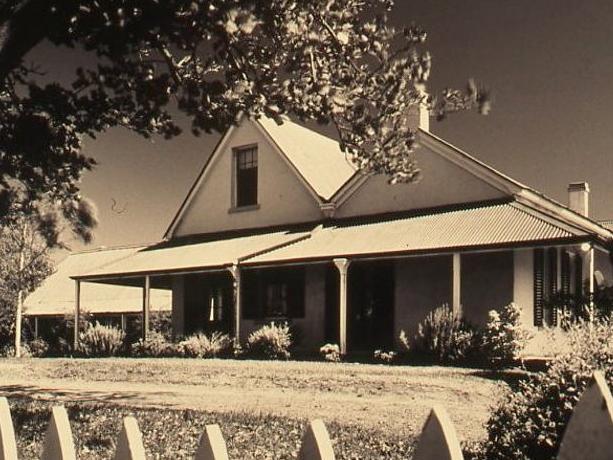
[317,158]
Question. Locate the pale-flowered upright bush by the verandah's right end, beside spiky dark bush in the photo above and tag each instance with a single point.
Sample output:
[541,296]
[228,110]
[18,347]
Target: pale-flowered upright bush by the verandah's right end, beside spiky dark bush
[504,337]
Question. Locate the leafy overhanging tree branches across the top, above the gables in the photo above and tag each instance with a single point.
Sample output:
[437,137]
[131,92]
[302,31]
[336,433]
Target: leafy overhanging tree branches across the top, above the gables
[334,61]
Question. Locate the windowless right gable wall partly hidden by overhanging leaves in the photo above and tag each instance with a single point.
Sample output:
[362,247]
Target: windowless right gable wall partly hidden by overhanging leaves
[442,183]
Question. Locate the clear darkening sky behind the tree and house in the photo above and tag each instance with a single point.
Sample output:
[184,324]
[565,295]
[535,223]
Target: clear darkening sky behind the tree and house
[548,64]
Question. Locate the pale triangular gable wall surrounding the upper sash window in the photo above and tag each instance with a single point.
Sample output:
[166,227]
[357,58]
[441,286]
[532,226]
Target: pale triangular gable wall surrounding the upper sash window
[282,197]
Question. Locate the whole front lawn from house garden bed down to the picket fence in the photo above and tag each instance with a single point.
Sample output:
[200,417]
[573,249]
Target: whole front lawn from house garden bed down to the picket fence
[380,408]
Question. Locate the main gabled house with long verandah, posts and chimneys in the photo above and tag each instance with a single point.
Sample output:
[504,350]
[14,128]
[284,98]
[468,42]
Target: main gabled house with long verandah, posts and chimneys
[279,225]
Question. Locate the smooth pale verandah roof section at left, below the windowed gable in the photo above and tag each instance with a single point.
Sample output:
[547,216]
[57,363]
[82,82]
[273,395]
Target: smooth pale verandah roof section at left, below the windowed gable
[207,254]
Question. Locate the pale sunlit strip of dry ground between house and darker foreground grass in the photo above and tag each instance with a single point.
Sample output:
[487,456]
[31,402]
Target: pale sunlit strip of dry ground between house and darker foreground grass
[395,398]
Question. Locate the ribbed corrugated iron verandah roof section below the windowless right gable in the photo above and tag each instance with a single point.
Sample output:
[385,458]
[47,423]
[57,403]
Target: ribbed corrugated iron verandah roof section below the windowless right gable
[501,224]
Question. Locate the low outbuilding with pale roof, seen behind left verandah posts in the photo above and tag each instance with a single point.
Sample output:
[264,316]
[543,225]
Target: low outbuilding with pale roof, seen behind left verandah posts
[54,299]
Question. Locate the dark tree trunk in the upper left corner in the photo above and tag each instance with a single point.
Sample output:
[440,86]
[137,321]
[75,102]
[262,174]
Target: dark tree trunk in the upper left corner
[21,28]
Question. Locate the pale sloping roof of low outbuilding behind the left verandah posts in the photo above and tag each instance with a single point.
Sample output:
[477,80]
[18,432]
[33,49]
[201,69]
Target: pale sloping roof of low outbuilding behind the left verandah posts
[55,296]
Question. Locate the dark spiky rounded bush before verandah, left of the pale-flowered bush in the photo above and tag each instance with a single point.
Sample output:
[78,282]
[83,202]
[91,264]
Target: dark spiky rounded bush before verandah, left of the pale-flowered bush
[444,337]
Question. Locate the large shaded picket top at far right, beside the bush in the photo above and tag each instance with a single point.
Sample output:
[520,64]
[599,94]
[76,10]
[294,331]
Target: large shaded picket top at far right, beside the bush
[589,433]
